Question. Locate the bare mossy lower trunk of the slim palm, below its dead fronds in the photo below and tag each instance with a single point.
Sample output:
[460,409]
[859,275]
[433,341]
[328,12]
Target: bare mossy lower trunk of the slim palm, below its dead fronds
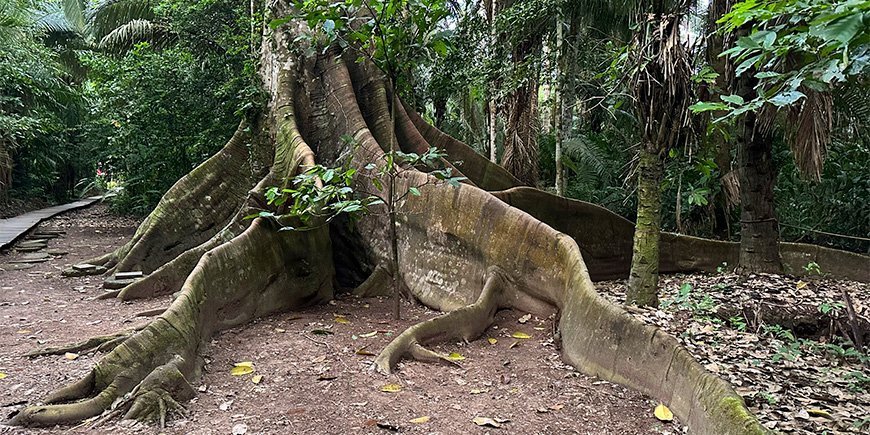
[644,276]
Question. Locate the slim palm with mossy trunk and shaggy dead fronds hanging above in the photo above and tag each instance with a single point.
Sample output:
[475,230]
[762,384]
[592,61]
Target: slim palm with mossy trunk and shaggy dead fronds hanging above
[662,92]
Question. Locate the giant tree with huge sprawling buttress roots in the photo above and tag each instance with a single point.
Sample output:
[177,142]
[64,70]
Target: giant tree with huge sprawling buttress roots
[463,250]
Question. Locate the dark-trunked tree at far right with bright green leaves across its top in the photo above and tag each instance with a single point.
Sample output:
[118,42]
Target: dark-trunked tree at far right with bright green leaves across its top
[787,59]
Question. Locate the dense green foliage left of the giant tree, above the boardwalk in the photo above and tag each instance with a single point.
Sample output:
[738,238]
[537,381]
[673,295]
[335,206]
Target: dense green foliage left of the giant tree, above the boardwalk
[139,118]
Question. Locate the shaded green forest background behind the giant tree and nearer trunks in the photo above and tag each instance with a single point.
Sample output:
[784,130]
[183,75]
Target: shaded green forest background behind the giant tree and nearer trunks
[132,102]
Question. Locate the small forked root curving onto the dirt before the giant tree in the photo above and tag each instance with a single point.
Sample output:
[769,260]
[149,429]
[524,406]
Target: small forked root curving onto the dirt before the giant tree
[466,323]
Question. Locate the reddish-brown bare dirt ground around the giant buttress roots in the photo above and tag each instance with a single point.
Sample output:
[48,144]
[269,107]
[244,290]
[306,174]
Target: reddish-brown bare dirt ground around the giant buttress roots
[313,366]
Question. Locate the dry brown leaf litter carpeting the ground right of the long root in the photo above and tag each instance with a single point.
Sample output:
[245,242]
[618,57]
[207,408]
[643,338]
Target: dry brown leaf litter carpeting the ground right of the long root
[762,334]
